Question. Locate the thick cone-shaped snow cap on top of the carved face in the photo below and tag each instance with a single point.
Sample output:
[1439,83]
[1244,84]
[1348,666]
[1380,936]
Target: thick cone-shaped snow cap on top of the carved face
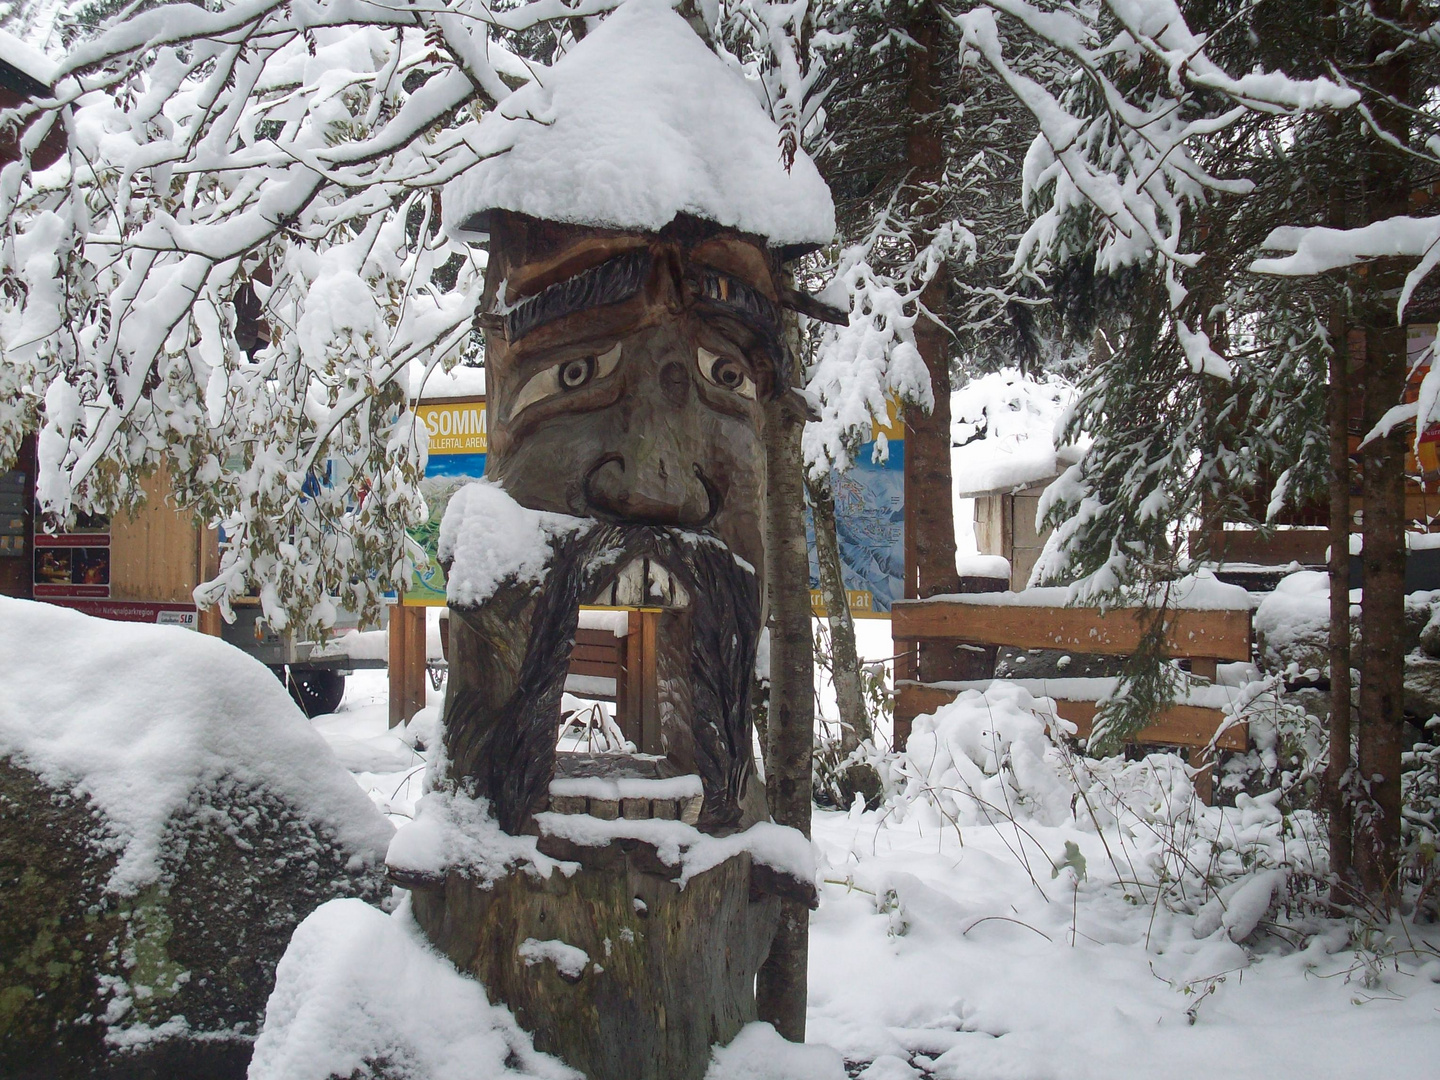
[637,125]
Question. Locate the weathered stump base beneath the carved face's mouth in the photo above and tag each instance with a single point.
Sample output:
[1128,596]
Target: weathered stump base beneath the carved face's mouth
[666,971]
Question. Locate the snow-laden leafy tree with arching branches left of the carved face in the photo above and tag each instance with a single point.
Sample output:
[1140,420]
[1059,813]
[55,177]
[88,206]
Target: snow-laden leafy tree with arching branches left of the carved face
[240,261]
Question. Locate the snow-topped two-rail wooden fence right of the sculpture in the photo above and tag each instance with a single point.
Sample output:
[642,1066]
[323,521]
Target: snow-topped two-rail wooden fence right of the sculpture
[1029,621]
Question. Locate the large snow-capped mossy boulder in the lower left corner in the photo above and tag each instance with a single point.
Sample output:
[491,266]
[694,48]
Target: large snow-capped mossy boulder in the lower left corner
[176,817]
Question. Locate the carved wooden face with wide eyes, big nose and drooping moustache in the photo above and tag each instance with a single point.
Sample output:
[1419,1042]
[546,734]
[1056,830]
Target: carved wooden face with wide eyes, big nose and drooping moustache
[627,375]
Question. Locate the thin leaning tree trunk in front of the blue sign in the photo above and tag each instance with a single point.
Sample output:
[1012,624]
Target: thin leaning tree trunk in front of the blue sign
[850,699]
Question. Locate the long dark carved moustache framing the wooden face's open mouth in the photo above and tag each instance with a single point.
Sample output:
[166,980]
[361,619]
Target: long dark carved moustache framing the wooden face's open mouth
[500,722]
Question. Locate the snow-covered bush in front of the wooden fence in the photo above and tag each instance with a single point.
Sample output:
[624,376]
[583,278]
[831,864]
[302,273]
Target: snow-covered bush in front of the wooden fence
[1000,760]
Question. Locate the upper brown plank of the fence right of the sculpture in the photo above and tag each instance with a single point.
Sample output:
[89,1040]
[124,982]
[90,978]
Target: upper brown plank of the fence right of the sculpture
[1218,634]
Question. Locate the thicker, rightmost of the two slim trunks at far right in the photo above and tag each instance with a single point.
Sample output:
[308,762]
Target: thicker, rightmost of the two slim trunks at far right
[1382,686]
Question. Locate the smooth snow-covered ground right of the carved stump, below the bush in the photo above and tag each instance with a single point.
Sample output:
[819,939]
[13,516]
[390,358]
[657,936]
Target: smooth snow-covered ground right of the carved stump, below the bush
[937,953]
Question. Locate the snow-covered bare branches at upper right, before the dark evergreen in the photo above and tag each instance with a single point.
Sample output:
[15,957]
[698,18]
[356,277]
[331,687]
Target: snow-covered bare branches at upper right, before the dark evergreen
[1120,148]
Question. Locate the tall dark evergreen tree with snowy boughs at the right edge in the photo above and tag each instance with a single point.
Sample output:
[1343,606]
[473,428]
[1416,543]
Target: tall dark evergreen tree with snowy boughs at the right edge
[1174,182]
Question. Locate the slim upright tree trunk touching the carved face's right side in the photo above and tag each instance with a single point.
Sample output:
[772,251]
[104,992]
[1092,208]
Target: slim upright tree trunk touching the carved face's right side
[781,987]
